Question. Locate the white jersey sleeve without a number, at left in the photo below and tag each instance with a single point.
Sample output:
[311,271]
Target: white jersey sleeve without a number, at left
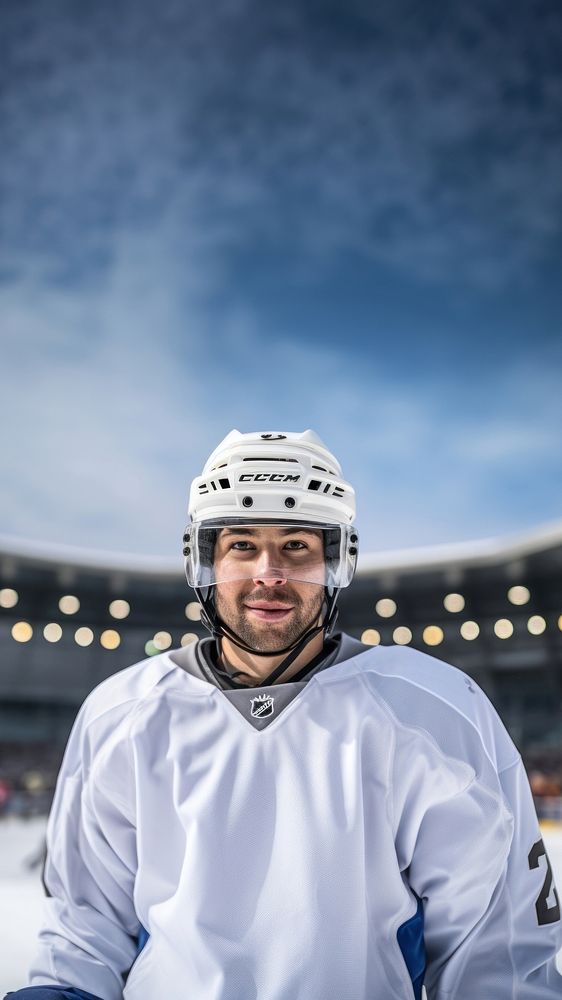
[88,938]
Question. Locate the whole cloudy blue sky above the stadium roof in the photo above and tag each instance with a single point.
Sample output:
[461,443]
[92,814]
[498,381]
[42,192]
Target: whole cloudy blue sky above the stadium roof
[275,217]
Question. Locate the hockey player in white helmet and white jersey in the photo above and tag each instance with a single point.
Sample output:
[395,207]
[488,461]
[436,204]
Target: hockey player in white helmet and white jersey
[279,812]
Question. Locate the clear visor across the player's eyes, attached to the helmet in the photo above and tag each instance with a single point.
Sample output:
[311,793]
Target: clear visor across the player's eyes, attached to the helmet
[275,551]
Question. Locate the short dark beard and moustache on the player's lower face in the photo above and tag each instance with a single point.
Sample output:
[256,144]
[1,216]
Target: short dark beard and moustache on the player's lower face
[266,637]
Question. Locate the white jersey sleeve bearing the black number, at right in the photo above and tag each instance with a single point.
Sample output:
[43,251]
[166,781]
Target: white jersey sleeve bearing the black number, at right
[467,837]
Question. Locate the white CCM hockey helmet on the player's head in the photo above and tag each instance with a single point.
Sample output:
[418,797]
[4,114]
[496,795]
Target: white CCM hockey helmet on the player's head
[271,478]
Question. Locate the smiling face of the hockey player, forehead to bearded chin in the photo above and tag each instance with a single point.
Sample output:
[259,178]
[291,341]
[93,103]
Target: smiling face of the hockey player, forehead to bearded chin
[269,600]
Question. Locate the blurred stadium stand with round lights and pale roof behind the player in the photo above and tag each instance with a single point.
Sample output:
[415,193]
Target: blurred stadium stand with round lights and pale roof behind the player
[69,618]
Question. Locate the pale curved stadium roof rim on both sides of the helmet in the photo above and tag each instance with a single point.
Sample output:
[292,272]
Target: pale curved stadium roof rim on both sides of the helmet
[458,555]
